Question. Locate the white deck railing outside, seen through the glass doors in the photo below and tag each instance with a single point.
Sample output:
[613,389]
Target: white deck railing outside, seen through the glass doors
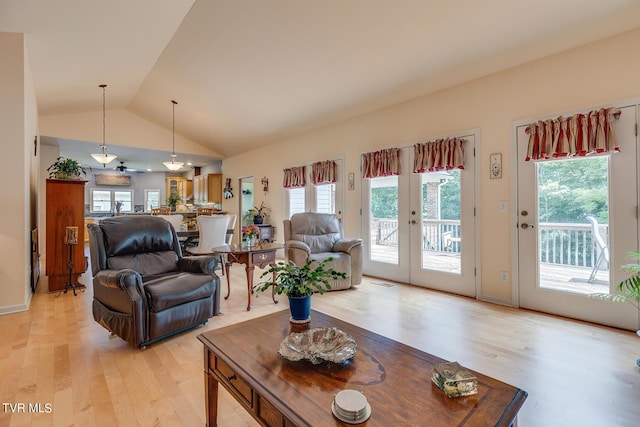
[560,243]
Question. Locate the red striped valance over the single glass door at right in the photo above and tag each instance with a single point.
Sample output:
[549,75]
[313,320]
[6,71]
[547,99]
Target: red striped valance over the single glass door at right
[578,135]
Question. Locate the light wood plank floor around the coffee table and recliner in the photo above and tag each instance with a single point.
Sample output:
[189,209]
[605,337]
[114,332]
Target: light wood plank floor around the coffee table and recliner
[56,355]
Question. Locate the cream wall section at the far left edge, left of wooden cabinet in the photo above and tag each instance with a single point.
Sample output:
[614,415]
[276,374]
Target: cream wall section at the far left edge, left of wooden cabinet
[18,121]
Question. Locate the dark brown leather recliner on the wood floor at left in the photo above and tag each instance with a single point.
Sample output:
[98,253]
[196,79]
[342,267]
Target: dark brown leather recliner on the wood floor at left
[144,290]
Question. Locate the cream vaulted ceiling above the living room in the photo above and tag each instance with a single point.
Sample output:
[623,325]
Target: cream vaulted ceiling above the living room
[251,72]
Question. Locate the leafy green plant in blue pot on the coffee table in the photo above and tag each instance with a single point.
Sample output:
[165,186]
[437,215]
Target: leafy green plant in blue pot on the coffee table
[299,283]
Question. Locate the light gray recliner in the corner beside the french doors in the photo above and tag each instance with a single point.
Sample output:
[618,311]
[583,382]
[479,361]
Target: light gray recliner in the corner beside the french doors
[318,236]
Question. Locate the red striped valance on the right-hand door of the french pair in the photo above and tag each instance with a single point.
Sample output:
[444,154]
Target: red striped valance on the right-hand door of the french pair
[441,154]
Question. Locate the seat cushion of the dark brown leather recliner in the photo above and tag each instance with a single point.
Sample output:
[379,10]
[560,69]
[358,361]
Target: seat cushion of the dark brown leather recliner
[171,290]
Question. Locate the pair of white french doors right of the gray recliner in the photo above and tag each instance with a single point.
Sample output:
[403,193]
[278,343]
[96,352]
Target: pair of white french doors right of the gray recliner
[420,228]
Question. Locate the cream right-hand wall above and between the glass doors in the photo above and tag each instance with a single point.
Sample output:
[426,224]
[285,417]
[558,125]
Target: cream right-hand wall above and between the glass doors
[601,72]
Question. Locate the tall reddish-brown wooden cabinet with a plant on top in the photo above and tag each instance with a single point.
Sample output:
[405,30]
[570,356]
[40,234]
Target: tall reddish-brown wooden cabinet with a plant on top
[65,207]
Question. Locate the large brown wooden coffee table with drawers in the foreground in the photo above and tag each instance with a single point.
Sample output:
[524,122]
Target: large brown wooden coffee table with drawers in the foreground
[395,378]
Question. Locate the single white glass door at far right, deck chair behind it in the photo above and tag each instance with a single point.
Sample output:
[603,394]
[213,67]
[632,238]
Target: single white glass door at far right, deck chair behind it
[576,220]
